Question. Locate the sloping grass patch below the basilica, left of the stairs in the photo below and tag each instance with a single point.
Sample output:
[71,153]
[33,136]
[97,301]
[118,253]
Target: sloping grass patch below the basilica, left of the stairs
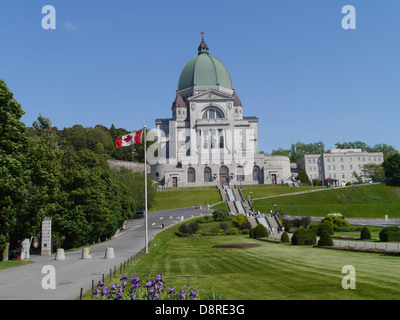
[173,198]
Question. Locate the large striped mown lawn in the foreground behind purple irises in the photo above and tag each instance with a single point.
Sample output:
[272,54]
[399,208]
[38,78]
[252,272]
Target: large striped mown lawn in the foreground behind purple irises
[270,271]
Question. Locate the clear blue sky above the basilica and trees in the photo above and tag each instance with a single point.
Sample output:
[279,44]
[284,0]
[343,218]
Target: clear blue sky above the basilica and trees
[291,62]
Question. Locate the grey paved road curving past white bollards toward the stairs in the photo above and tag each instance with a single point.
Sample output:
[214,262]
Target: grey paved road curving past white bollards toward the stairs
[74,273]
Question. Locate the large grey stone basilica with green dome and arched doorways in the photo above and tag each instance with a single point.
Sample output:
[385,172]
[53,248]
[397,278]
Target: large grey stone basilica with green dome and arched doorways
[208,141]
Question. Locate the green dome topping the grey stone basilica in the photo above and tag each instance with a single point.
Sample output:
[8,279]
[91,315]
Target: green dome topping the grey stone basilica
[204,70]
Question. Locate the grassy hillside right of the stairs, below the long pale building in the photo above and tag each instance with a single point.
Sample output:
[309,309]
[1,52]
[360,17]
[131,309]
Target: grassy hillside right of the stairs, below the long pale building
[363,201]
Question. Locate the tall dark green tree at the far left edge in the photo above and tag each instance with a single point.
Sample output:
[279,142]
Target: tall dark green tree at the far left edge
[13,174]
